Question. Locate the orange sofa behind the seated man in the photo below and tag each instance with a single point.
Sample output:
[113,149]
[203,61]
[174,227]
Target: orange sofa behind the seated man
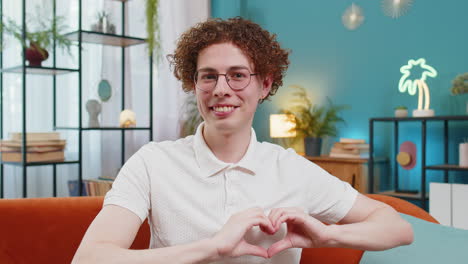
[49,230]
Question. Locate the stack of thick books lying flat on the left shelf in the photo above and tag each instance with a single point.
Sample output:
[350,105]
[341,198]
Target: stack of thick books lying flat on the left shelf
[40,147]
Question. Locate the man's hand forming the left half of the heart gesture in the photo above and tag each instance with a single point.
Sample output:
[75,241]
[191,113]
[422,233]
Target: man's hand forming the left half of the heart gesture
[229,241]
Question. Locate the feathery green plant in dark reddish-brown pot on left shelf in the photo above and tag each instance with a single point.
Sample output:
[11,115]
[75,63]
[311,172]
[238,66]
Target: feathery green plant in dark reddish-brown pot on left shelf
[37,42]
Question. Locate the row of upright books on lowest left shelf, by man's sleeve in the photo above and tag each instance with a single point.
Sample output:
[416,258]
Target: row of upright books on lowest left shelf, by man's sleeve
[91,187]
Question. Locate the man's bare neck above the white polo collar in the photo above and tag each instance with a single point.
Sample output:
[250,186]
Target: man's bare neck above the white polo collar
[230,146]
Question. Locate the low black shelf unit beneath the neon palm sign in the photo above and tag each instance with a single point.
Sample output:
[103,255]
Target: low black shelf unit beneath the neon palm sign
[422,195]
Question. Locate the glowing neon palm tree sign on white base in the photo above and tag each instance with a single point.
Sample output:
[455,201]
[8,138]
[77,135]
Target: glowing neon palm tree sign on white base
[418,85]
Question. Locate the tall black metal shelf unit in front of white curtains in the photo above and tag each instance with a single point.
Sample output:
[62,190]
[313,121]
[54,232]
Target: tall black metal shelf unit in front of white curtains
[80,37]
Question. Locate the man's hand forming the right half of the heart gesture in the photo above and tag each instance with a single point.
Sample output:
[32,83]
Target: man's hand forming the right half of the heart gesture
[303,231]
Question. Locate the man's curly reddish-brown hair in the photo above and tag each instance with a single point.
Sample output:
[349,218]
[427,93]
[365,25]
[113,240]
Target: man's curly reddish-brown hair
[259,45]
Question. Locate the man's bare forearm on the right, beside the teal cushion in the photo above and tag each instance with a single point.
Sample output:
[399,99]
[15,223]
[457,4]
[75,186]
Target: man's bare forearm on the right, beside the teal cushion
[383,229]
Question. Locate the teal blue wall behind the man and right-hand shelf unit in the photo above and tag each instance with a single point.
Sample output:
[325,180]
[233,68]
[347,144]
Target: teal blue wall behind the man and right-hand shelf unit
[361,67]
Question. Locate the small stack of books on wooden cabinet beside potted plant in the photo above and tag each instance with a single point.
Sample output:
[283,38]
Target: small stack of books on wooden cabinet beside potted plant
[350,148]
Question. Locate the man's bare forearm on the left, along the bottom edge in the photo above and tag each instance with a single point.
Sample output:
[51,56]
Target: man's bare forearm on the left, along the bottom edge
[202,251]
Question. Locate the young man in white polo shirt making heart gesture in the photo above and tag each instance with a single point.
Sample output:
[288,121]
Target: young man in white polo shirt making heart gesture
[221,196]
